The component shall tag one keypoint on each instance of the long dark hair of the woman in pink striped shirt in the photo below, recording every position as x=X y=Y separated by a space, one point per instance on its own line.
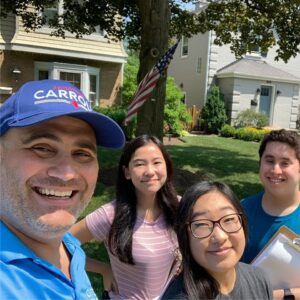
x=120 y=234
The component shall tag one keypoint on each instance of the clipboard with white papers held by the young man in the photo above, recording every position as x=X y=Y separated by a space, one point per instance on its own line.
x=280 y=259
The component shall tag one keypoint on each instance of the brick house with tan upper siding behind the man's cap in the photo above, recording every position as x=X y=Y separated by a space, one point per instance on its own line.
x=91 y=63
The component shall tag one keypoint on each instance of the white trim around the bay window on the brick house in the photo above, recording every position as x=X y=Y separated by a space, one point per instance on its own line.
x=54 y=68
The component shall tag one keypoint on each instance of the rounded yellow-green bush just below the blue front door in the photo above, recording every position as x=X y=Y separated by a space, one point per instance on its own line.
x=251 y=118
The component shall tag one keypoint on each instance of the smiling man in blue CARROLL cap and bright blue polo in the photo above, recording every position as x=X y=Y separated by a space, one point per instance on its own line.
x=48 y=154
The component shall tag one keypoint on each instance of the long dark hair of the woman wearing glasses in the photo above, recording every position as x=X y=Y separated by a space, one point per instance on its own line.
x=199 y=284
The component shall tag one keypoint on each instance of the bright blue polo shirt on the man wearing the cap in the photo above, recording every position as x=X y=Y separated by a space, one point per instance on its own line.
x=23 y=275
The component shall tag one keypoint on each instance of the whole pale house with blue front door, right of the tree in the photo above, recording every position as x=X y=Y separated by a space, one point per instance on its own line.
x=255 y=81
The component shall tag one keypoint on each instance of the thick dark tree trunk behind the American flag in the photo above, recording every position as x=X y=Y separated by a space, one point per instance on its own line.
x=155 y=16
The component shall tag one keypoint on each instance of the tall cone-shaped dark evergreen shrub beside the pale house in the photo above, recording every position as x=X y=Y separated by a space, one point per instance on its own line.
x=213 y=115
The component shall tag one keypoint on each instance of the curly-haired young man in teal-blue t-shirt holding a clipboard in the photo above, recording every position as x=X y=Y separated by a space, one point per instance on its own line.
x=279 y=203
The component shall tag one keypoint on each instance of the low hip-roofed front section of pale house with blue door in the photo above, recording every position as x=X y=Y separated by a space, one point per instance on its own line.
x=253 y=83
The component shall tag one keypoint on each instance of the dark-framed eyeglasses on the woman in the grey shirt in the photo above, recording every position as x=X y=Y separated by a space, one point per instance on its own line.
x=203 y=228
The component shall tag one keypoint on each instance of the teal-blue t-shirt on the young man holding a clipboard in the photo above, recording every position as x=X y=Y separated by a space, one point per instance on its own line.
x=263 y=226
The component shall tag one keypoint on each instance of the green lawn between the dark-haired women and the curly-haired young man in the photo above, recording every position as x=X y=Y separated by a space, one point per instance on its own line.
x=233 y=161
